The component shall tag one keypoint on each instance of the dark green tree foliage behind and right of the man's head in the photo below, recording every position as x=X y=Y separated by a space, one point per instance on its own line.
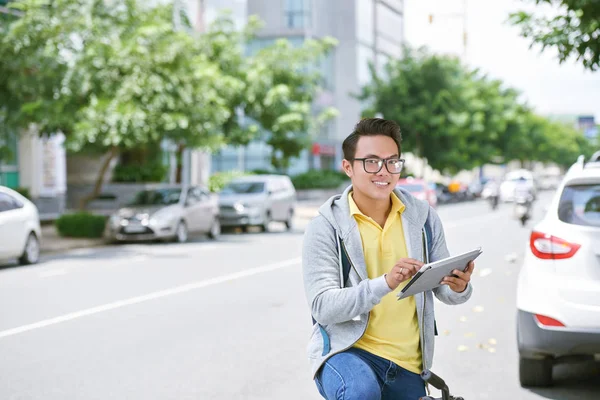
x=456 y=118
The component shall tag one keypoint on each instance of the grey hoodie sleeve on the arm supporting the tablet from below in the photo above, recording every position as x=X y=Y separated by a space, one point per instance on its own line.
x=439 y=250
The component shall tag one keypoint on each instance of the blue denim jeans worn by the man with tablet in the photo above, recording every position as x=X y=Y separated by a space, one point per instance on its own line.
x=358 y=374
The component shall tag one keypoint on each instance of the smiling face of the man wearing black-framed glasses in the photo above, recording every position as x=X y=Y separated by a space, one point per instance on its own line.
x=376 y=186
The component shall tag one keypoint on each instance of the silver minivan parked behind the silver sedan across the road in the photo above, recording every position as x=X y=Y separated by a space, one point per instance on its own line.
x=257 y=200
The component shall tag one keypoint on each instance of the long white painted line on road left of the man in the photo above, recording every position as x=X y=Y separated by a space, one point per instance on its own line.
x=150 y=296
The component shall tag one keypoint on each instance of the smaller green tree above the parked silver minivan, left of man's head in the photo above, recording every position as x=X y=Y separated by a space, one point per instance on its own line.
x=278 y=85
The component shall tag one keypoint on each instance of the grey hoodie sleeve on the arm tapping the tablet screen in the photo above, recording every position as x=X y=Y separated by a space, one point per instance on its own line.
x=329 y=303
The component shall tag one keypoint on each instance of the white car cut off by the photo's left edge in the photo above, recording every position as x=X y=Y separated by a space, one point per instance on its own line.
x=20 y=230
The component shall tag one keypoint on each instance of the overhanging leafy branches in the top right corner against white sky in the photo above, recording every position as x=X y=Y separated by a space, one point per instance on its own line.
x=574 y=30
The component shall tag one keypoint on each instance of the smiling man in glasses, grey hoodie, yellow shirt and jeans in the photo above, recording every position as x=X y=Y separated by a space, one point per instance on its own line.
x=366 y=344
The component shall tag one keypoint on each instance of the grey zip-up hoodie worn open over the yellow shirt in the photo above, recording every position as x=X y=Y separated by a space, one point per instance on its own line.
x=342 y=312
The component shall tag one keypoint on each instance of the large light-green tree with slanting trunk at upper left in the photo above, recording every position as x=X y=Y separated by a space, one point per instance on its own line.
x=111 y=77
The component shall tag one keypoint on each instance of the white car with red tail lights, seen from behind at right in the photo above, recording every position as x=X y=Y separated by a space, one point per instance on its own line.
x=558 y=291
